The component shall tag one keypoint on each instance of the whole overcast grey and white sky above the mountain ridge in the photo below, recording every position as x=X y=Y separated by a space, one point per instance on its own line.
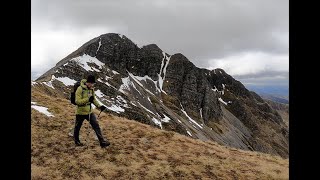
x=249 y=39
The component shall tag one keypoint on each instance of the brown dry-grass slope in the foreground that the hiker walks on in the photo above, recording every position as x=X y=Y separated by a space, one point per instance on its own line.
x=137 y=150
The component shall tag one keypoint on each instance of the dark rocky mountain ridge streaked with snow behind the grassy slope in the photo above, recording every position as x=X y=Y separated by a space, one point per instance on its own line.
x=171 y=93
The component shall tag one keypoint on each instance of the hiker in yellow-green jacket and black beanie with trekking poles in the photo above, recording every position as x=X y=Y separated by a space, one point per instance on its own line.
x=84 y=96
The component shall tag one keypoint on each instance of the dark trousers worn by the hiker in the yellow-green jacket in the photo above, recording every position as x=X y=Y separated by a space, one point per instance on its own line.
x=94 y=124
